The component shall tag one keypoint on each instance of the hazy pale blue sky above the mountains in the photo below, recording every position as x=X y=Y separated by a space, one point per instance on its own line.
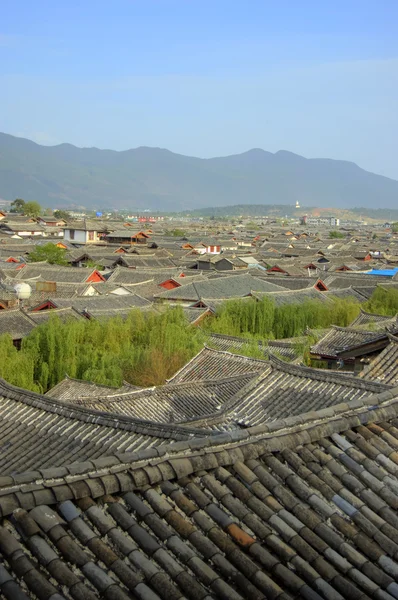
x=205 y=77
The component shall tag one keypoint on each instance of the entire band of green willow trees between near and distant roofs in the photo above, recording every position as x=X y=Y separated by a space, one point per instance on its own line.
x=147 y=348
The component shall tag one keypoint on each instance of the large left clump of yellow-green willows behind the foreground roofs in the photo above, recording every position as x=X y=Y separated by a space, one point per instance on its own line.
x=144 y=349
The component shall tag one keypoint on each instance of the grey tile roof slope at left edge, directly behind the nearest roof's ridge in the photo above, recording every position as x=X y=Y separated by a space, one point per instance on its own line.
x=37 y=432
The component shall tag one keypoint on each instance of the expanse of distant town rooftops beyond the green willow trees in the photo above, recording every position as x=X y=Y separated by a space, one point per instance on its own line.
x=152 y=268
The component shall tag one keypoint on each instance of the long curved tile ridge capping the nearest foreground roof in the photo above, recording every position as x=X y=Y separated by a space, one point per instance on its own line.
x=181 y=458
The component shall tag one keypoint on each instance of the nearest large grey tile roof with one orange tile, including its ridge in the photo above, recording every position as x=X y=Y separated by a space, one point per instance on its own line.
x=305 y=509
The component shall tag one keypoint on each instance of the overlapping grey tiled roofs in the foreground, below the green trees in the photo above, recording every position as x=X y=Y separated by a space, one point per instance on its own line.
x=238 y=478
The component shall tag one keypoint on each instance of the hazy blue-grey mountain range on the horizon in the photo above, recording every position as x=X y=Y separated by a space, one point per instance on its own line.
x=157 y=179
